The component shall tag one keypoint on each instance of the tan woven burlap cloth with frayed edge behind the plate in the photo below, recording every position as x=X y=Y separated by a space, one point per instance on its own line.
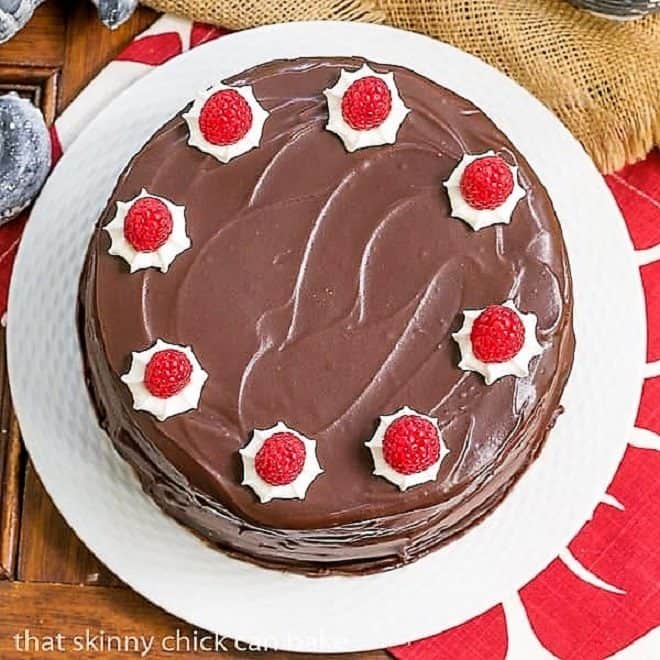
x=601 y=77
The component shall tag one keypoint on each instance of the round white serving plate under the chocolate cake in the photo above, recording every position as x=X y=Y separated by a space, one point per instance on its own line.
x=98 y=493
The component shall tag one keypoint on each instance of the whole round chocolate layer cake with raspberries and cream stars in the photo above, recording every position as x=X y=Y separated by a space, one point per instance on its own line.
x=362 y=335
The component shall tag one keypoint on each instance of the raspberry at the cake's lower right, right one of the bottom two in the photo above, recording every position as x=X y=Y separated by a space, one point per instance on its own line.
x=411 y=444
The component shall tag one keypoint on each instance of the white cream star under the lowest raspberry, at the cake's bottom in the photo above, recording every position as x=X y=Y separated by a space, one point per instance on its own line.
x=265 y=491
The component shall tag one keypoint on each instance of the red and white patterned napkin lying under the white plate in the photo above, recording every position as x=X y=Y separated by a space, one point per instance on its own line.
x=601 y=595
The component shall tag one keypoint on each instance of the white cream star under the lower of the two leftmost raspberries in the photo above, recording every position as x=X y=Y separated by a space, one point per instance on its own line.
x=161 y=408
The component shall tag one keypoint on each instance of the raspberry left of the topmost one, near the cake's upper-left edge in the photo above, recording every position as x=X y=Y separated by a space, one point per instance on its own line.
x=225 y=118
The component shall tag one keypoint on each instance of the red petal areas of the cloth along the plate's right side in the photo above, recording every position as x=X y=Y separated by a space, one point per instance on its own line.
x=572 y=617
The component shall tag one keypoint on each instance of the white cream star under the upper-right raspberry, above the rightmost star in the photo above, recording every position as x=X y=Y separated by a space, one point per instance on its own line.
x=480 y=218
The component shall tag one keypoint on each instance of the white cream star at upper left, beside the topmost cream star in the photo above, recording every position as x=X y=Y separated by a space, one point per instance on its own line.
x=225 y=152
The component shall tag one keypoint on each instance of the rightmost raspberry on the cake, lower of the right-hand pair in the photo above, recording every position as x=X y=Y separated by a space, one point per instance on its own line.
x=497 y=334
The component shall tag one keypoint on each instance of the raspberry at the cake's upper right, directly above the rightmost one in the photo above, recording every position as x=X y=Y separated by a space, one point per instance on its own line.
x=486 y=182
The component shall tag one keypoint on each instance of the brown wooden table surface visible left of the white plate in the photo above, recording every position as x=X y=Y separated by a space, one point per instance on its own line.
x=50 y=583
